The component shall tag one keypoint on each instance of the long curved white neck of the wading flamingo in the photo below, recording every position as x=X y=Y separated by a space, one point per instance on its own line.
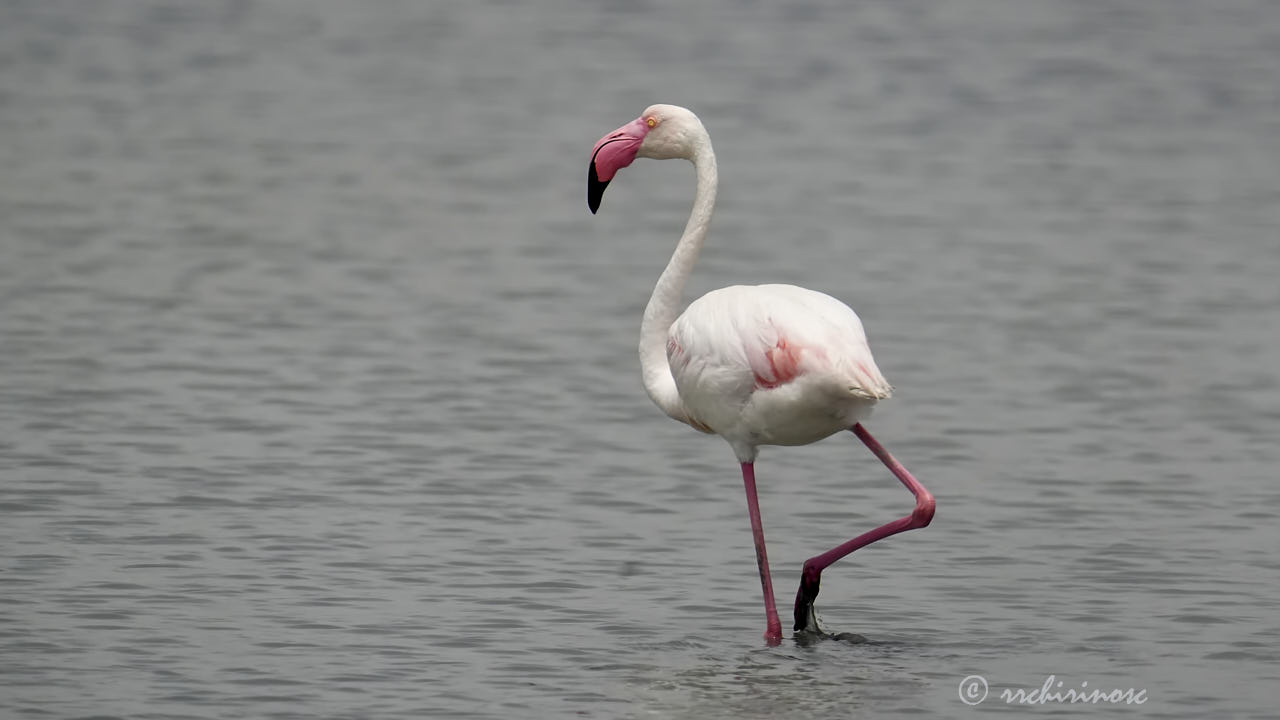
x=665 y=303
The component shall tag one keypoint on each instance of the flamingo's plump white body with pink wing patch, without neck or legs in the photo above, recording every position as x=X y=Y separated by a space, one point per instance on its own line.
x=772 y=364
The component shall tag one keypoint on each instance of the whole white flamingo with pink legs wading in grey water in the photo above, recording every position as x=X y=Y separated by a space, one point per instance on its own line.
x=771 y=364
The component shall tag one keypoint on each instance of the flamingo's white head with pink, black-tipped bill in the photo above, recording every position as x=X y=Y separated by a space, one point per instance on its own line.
x=662 y=133
